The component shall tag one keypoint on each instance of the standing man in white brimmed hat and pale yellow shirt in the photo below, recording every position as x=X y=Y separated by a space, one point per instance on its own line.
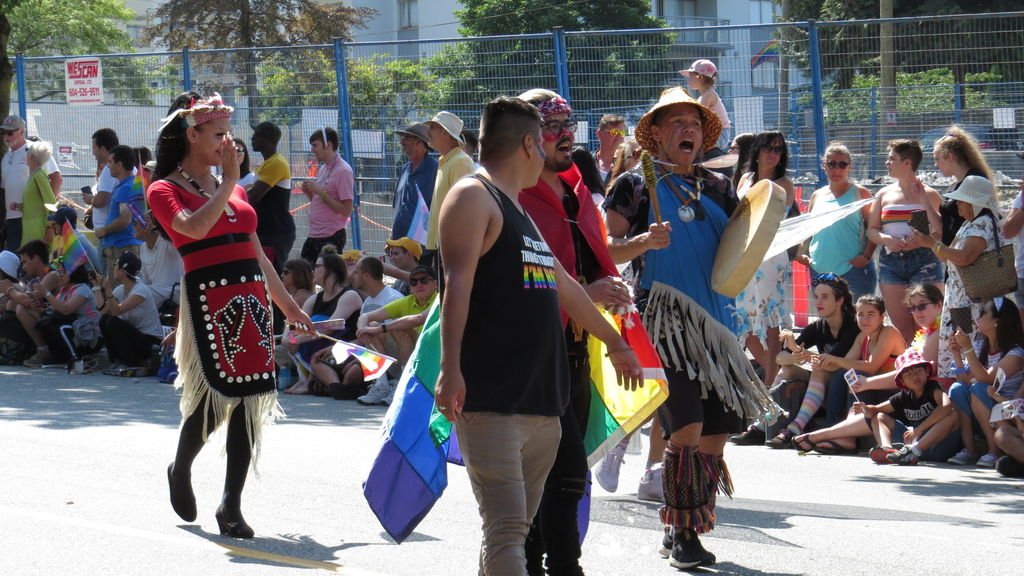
x=445 y=131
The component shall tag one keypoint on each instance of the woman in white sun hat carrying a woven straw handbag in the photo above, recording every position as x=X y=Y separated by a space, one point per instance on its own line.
x=977 y=204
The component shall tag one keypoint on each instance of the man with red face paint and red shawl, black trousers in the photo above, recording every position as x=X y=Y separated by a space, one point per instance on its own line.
x=564 y=211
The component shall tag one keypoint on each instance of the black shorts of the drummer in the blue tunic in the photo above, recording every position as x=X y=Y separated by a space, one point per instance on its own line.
x=685 y=406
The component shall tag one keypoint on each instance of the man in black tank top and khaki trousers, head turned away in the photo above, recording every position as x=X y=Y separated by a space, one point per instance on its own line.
x=504 y=380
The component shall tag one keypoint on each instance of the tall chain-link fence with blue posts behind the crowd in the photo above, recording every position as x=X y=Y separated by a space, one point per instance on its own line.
x=860 y=83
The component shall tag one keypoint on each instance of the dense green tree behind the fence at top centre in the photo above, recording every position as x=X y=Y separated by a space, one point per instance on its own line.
x=602 y=70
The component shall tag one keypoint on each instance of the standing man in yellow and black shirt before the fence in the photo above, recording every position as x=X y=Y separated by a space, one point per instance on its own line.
x=271 y=196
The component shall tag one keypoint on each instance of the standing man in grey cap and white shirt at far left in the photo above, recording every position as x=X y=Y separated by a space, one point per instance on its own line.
x=15 y=177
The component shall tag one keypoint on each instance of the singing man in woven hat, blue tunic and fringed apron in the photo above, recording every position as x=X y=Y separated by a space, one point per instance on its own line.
x=712 y=387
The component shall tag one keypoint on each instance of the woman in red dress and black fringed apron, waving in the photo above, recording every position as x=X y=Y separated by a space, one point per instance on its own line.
x=225 y=348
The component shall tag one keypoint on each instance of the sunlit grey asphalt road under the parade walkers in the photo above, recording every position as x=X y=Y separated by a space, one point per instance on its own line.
x=84 y=492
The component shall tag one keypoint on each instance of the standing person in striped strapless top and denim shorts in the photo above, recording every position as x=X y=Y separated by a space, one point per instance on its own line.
x=904 y=260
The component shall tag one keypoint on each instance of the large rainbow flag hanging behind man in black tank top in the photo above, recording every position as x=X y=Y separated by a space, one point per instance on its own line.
x=410 y=473
